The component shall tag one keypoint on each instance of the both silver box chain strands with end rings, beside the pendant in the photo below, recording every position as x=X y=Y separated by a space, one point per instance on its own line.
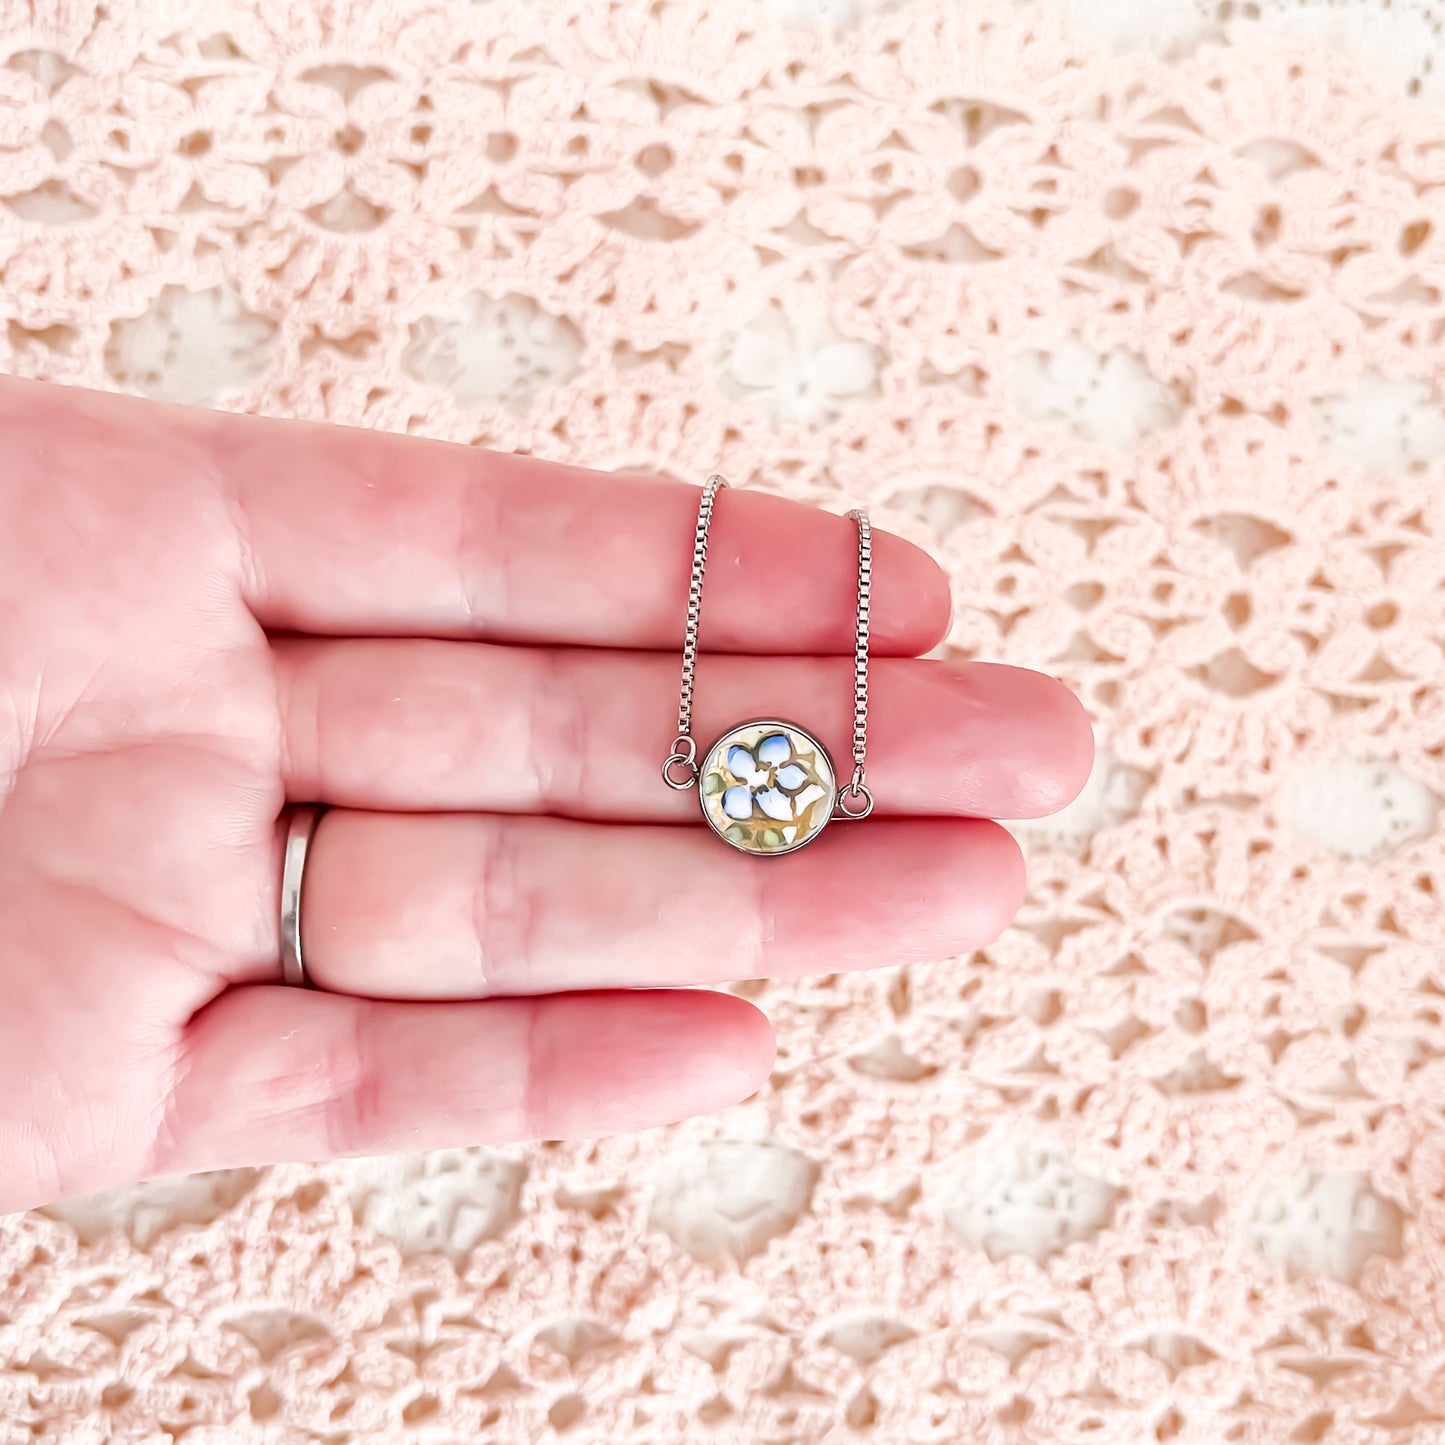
x=681 y=768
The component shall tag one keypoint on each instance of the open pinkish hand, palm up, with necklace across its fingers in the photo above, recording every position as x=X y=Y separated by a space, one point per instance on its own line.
x=475 y=660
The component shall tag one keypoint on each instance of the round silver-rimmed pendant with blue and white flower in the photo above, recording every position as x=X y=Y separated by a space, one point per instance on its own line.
x=768 y=788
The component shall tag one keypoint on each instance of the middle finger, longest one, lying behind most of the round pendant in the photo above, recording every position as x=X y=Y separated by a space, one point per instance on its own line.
x=450 y=726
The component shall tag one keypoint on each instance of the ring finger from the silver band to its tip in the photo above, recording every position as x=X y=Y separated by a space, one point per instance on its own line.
x=469 y=907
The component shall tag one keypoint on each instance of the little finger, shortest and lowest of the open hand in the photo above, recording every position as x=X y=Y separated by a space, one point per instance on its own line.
x=285 y=1074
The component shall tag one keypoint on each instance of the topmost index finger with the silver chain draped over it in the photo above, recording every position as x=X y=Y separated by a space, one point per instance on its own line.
x=368 y=534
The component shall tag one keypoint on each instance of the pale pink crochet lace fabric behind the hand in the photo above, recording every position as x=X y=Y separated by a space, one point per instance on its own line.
x=1134 y=316
